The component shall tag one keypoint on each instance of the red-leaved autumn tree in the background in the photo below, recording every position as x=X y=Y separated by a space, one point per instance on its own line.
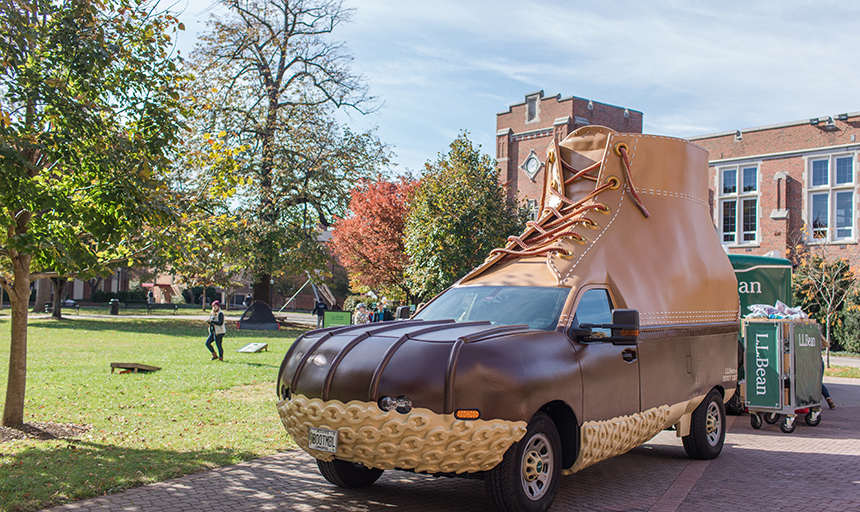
x=369 y=243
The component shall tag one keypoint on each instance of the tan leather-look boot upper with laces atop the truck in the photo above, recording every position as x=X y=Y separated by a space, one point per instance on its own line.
x=629 y=211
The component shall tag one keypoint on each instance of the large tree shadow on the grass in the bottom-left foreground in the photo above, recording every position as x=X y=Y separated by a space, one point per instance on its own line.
x=64 y=471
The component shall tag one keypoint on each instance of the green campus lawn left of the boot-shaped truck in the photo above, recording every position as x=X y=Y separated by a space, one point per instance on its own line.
x=192 y=415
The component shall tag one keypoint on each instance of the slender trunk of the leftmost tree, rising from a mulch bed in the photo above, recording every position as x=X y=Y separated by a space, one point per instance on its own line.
x=13 y=410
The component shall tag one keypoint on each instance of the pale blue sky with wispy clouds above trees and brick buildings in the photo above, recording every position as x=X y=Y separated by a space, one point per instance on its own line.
x=692 y=67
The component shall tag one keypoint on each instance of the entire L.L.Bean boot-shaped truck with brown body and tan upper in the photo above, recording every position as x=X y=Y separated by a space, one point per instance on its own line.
x=613 y=316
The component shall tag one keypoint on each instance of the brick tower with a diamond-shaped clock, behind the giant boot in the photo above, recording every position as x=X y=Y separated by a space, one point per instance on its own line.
x=525 y=130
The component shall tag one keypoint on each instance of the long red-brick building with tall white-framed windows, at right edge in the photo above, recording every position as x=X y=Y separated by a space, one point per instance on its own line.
x=774 y=187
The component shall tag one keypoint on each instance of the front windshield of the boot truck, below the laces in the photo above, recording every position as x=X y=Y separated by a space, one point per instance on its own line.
x=537 y=307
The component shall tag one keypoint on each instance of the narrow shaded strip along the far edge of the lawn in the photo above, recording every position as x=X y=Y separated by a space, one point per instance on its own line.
x=180 y=327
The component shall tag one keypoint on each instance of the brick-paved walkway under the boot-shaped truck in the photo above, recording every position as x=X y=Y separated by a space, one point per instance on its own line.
x=814 y=467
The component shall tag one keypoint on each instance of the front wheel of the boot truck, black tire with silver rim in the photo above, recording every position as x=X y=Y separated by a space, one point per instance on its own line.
x=526 y=479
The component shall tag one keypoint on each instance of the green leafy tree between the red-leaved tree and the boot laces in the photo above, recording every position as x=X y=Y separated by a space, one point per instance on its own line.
x=459 y=213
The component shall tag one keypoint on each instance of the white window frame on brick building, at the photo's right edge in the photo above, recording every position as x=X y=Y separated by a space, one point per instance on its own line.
x=830 y=190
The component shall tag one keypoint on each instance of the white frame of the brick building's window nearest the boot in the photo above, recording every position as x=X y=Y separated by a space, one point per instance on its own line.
x=739 y=197
